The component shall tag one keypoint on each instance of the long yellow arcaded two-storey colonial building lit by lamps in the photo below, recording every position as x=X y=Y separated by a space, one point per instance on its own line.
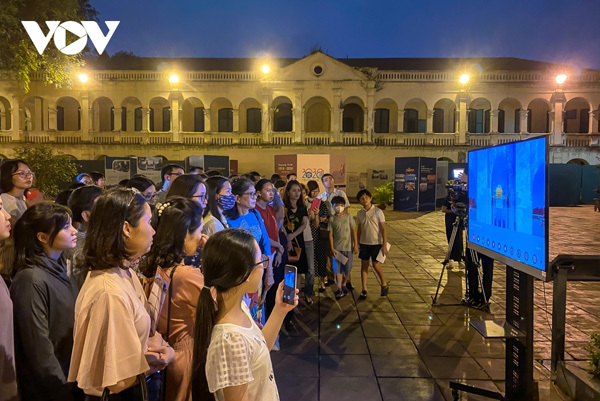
x=371 y=110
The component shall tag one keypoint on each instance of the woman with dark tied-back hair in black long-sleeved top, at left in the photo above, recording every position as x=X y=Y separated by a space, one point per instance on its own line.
x=43 y=300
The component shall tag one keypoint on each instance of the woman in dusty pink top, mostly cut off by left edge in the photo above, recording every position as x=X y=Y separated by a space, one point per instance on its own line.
x=8 y=374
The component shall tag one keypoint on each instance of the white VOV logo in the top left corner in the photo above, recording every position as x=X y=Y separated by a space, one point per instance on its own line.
x=59 y=30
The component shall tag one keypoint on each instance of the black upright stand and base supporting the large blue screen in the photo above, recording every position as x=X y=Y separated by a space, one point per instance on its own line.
x=518 y=332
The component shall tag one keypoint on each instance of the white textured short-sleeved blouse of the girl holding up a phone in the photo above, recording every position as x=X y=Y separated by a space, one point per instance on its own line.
x=238 y=355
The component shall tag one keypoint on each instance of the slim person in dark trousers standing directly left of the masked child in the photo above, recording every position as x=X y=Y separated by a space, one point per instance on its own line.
x=317 y=215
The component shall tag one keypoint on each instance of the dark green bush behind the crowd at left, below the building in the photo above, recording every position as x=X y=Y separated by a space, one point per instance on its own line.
x=49 y=167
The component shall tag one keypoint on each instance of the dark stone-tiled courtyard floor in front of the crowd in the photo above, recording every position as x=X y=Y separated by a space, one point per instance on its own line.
x=399 y=347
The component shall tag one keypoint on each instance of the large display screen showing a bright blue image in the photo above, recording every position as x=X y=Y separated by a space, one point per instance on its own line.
x=508 y=204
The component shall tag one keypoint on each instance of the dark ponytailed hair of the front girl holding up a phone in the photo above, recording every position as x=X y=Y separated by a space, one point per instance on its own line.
x=224 y=271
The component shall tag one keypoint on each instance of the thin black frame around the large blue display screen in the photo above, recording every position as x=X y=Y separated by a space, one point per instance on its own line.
x=544 y=275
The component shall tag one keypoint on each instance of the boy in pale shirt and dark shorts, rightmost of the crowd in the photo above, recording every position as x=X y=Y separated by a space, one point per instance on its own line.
x=372 y=236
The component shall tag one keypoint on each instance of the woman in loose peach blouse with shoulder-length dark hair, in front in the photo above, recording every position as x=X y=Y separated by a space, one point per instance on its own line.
x=112 y=346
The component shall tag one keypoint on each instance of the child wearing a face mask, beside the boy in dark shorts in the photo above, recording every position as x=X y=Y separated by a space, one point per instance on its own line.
x=342 y=239
